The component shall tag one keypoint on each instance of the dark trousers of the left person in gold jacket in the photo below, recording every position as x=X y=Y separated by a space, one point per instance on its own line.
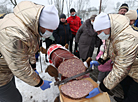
x=9 y=92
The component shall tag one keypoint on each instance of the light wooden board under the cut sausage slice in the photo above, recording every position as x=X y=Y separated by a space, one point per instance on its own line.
x=102 y=97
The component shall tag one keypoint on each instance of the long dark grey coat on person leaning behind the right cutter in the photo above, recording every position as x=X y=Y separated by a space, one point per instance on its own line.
x=87 y=39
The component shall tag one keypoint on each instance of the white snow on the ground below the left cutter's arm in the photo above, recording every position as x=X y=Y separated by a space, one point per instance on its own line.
x=35 y=94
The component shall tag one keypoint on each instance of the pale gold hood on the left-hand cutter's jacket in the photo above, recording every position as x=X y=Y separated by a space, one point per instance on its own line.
x=29 y=12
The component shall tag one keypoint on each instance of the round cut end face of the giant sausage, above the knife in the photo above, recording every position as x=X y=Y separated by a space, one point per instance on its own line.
x=71 y=67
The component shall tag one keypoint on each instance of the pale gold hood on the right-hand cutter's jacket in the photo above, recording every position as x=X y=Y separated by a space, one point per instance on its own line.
x=118 y=24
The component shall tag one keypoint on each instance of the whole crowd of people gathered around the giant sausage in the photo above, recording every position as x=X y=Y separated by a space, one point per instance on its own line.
x=115 y=36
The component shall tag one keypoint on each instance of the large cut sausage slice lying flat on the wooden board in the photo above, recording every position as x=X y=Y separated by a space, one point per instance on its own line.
x=76 y=89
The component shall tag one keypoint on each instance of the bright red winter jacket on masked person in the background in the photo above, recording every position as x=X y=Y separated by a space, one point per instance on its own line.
x=74 y=23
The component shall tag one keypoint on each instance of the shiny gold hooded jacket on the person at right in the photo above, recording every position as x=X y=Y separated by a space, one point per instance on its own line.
x=122 y=49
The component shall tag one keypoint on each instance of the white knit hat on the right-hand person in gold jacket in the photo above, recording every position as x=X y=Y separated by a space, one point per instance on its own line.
x=101 y=22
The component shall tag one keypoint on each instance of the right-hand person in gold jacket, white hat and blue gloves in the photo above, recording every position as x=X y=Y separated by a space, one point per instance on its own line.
x=121 y=48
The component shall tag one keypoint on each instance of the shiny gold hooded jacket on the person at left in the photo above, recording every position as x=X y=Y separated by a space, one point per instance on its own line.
x=19 y=43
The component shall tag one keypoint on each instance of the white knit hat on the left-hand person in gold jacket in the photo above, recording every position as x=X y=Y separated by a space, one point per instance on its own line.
x=49 y=17
